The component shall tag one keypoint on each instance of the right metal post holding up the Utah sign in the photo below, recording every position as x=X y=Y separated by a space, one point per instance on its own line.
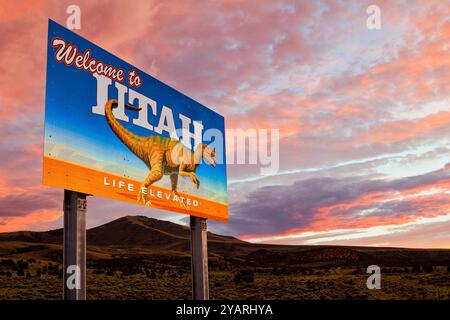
x=199 y=250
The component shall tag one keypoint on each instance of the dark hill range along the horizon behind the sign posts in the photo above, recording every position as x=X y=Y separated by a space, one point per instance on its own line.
x=135 y=233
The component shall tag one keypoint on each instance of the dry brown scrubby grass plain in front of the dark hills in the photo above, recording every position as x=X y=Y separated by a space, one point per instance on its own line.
x=334 y=283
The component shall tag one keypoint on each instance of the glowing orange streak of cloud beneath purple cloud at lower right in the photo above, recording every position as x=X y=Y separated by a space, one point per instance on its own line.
x=427 y=200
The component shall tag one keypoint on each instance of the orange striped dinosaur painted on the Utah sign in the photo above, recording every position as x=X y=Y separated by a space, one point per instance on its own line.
x=163 y=156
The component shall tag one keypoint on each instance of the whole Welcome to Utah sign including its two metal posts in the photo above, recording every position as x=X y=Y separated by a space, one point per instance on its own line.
x=113 y=131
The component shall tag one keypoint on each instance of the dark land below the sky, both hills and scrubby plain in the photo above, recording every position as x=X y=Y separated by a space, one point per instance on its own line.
x=142 y=258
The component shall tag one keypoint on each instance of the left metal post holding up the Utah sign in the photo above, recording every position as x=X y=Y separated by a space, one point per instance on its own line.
x=74 y=259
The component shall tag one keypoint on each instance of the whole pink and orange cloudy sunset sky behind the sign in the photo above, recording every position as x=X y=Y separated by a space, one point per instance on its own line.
x=364 y=115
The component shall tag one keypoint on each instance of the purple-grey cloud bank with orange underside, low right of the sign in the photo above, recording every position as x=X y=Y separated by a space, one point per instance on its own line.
x=324 y=204
